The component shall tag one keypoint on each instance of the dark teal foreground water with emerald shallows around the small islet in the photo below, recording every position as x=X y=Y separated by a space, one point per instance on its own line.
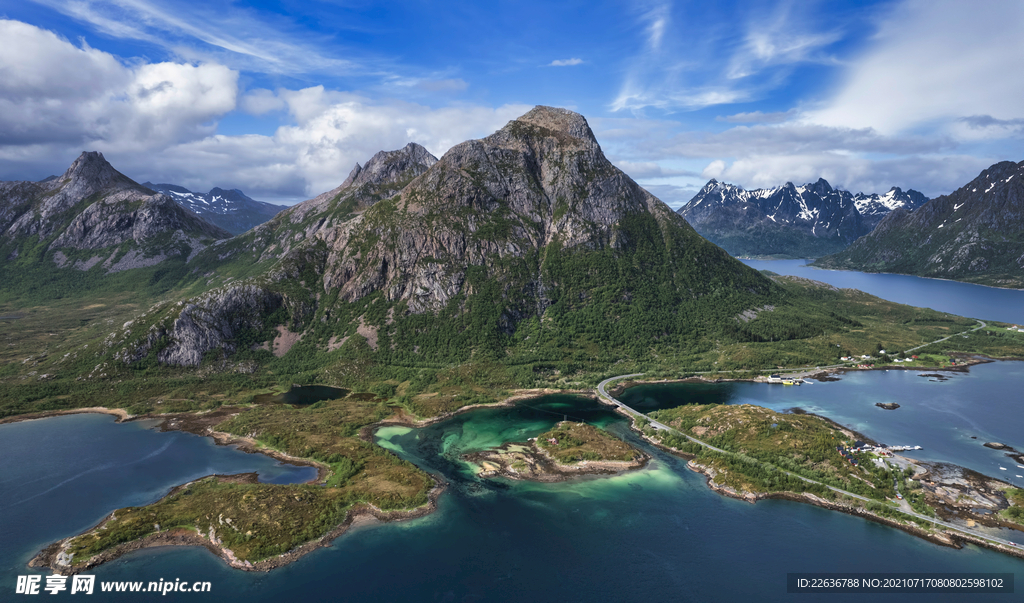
x=654 y=535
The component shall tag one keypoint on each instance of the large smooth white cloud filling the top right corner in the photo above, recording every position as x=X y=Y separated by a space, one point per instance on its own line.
x=933 y=63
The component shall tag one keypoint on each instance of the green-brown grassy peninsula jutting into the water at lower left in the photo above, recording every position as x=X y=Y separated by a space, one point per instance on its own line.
x=267 y=520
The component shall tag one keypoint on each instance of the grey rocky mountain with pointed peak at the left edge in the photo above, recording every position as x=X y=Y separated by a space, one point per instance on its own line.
x=95 y=216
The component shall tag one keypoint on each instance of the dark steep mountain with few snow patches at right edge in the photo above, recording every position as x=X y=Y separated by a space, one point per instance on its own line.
x=972 y=235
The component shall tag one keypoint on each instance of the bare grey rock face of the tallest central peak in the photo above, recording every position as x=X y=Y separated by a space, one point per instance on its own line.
x=540 y=180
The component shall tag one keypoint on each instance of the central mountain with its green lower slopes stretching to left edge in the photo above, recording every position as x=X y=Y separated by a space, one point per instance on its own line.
x=524 y=260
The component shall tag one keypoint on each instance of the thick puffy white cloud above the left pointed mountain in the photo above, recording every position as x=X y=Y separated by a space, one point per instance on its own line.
x=53 y=92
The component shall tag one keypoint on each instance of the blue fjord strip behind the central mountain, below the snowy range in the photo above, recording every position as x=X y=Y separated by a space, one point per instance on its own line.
x=987 y=304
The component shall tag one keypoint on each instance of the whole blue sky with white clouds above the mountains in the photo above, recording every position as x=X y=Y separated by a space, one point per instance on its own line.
x=282 y=99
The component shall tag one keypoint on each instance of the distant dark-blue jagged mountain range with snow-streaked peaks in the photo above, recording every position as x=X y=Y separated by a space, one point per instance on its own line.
x=789 y=222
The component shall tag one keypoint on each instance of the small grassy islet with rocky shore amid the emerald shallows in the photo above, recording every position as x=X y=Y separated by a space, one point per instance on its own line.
x=567 y=451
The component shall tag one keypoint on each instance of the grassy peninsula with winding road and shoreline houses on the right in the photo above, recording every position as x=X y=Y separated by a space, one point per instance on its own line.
x=763 y=454
